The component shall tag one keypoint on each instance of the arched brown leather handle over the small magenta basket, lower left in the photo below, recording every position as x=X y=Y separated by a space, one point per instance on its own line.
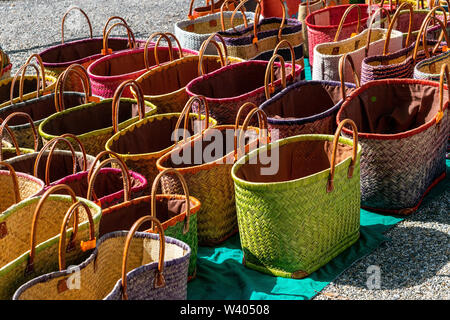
x=94 y=172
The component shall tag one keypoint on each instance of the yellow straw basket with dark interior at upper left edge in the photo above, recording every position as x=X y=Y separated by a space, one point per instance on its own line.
x=29 y=91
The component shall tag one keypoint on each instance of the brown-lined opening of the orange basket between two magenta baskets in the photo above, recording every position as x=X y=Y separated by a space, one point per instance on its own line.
x=176 y=75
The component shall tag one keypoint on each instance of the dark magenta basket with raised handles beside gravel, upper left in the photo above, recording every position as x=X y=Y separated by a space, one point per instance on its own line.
x=84 y=52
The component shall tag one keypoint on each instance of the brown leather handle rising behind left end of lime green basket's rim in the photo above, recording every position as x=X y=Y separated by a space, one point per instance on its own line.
x=262 y=119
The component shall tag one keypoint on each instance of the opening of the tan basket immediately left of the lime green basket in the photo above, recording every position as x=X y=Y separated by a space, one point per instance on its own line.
x=214 y=145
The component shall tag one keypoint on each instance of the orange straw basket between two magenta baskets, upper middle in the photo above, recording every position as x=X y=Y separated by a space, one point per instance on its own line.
x=165 y=86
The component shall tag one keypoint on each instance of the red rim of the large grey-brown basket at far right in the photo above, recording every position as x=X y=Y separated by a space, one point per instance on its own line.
x=396 y=136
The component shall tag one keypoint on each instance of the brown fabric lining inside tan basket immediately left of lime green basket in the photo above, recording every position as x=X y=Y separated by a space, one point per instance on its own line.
x=208 y=141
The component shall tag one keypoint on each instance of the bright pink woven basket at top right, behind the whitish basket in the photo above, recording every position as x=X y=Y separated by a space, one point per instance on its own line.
x=323 y=24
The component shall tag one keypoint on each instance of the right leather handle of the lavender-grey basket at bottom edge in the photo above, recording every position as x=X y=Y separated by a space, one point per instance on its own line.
x=159 y=279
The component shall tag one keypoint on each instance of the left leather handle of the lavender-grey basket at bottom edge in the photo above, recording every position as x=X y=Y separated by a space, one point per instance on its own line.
x=62 y=249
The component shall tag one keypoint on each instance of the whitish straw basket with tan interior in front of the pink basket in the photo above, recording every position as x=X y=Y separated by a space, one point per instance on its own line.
x=326 y=62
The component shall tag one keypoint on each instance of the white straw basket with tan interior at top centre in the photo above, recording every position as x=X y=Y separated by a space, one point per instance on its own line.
x=192 y=33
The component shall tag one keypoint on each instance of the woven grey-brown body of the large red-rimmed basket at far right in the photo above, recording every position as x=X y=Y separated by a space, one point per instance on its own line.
x=398 y=170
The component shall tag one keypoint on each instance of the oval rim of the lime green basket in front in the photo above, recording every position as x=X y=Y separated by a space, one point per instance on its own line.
x=279 y=185
